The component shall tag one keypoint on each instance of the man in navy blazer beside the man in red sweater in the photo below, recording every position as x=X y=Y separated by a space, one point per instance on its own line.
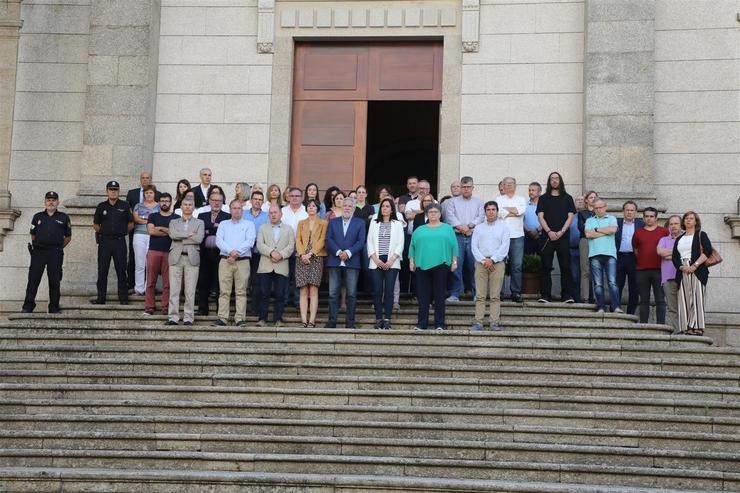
x=626 y=261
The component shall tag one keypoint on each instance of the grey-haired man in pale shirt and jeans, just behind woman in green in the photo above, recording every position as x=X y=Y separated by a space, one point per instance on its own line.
x=464 y=213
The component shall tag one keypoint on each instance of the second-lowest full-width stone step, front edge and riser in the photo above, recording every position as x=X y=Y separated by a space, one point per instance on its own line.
x=665 y=476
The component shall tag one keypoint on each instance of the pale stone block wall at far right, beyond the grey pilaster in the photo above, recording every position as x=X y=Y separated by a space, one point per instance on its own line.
x=697 y=128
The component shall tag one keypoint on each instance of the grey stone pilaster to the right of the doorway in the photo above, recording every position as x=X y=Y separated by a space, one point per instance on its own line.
x=619 y=79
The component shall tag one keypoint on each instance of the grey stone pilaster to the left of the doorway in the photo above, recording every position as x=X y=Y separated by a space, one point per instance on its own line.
x=118 y=139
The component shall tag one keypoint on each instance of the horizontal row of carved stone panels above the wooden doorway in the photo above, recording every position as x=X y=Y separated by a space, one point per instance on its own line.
x=345 y=17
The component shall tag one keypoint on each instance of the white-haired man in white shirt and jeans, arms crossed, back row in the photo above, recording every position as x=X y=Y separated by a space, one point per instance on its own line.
x=511 y=210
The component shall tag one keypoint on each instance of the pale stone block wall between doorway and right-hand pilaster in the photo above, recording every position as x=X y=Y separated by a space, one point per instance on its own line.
x=522 y=95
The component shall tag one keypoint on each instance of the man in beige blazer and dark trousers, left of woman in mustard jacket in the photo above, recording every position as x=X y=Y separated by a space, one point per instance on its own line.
x=276 y=243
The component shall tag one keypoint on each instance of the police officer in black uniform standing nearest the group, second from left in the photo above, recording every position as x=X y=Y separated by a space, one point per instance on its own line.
x=112 y=222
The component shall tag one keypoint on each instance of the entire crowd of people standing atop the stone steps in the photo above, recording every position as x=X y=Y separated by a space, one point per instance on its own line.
x=281 y=246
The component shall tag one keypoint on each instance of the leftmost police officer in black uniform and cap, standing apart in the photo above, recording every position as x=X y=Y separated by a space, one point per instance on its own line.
x=51 y=231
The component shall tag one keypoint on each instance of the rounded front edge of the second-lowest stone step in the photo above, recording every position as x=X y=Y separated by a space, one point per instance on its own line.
x=348 y=459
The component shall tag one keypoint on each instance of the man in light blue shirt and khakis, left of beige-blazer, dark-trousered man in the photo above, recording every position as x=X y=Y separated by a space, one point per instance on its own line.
x=234 y=239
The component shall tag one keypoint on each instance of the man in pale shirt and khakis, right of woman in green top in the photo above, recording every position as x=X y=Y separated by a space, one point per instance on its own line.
x=490 y=246
